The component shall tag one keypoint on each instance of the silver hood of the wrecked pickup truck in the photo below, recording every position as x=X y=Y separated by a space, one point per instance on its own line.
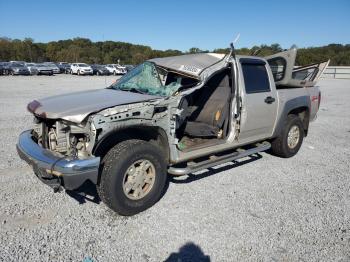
x=75 y=107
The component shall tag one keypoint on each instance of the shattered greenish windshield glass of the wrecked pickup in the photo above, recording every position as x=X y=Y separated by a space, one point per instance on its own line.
x=145 y=79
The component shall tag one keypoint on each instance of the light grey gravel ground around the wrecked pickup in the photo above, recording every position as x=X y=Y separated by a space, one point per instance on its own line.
x=266 y=209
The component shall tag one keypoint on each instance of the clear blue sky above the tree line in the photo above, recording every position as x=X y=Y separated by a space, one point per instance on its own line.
x=180 y=24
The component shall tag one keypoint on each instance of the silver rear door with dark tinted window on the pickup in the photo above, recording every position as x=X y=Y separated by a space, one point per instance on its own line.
x=259 y=100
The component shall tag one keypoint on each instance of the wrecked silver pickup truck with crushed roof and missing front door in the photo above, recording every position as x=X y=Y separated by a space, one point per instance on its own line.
x=174 y=115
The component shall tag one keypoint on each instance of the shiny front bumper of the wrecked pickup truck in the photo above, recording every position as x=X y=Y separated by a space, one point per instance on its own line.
x=54 y=170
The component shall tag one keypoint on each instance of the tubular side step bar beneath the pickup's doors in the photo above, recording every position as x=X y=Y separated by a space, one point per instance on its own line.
x=214 y=160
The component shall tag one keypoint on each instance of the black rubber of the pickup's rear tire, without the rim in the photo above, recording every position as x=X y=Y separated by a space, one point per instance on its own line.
x=279 y=145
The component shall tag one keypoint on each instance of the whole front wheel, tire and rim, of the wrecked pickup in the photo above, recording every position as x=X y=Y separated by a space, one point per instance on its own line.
x=133 y=177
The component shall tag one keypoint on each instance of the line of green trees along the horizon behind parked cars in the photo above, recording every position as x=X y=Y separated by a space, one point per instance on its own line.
x=84 y=50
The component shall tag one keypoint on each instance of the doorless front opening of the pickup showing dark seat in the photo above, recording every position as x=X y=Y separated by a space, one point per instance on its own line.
x=205 y=117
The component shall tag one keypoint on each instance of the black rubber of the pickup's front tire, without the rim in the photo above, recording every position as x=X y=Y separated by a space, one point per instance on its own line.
x=114 y=166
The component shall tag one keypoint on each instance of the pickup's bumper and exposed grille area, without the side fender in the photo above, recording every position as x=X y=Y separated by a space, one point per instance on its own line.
x=60 y=153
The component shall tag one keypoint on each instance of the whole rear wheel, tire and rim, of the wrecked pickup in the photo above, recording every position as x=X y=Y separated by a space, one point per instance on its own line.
x=288 y=143
